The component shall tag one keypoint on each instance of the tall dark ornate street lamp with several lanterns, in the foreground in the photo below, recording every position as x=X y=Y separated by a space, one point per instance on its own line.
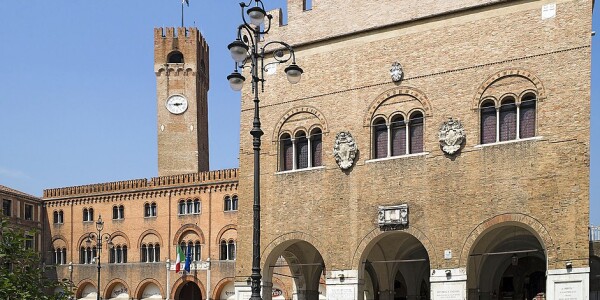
x=247 y=52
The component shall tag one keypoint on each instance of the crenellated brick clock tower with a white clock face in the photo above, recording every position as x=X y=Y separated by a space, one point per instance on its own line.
x=181 y=67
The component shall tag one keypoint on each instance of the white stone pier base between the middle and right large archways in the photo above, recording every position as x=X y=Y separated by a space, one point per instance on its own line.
x=448 y=284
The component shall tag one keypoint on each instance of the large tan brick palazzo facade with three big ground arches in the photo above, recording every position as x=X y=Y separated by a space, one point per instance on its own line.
x=524 y=200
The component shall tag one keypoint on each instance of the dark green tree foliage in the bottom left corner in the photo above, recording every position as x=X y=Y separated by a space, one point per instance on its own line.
x=21 y=273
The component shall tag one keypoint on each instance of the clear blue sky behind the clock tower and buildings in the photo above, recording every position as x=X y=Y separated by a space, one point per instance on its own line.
x=78 y=93
